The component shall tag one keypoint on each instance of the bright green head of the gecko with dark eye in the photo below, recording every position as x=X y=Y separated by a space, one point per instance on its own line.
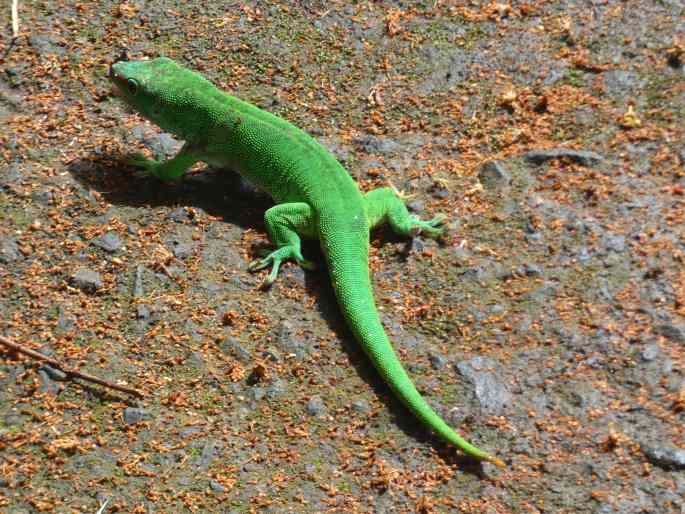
x=159 y=89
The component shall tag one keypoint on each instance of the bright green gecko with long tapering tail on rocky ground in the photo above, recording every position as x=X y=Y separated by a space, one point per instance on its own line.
x=315 y=197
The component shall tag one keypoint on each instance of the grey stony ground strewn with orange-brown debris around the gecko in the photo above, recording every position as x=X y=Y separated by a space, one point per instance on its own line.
x=548 y=325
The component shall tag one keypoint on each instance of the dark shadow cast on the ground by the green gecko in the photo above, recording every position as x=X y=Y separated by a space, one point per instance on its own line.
x=225 y=195
